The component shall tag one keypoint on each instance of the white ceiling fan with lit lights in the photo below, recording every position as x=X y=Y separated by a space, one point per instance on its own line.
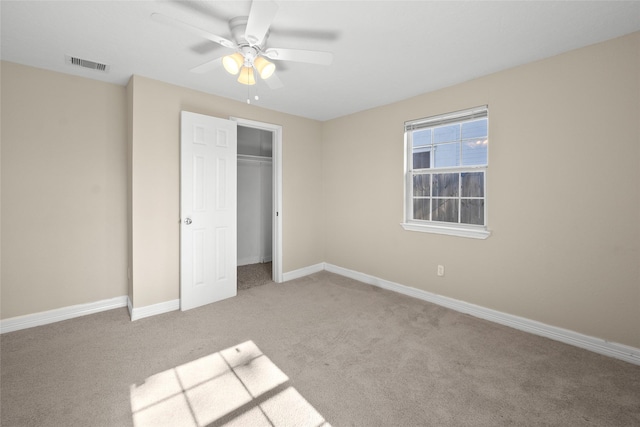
x=249 y=36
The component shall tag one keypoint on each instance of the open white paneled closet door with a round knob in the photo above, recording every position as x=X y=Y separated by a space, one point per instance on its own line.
x=208 y=210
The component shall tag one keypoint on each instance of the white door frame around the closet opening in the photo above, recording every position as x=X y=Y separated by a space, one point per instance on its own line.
x=276 y=161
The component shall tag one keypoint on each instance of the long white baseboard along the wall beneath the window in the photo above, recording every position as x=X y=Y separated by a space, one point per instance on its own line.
x=597 y=345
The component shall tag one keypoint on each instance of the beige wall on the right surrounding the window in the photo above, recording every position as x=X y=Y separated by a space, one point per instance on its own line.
x=563 y=194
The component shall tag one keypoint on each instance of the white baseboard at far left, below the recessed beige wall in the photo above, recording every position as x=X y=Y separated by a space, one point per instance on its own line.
x=51 y=316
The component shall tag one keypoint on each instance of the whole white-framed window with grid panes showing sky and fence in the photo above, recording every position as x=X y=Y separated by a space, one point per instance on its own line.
x=446 y=173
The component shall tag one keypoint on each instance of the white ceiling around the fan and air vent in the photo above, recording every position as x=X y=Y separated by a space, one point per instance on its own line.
x=384 y=51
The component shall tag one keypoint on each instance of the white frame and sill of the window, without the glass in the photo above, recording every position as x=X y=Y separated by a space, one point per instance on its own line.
x=448 y=228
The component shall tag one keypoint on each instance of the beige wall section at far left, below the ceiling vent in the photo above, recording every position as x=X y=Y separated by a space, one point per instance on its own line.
x=63 y=190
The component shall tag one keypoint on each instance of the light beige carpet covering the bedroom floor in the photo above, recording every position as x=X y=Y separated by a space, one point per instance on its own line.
x=356 y=354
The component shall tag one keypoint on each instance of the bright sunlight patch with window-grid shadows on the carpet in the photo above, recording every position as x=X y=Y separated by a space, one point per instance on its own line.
x=238 y=386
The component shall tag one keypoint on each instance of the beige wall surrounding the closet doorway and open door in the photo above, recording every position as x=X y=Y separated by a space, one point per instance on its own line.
x=155 y=180
